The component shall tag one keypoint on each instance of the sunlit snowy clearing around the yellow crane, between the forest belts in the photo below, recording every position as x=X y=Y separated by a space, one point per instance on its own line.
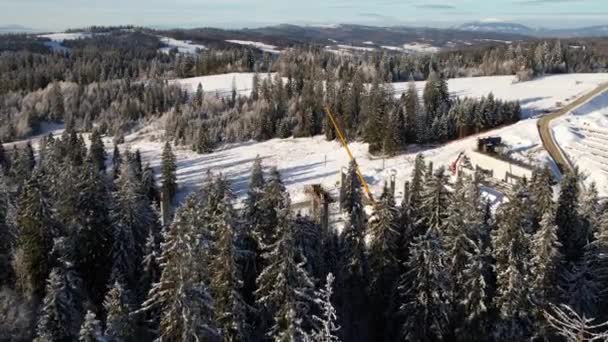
x=305 y=161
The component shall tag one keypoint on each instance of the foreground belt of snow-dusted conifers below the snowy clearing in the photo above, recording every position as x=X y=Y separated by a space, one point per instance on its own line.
x=85 y=256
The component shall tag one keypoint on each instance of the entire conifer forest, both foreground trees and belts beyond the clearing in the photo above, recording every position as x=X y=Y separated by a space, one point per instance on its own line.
x=94 y=246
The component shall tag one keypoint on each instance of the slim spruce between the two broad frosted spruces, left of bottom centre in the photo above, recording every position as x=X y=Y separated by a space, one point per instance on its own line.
x=226 y=280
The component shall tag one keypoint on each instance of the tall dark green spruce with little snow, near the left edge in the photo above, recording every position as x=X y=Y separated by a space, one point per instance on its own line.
x=36 y=232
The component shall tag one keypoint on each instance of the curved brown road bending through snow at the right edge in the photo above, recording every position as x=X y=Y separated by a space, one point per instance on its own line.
x=546 y=135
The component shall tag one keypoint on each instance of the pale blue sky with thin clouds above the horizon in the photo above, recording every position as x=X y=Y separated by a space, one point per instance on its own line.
x=62 y=14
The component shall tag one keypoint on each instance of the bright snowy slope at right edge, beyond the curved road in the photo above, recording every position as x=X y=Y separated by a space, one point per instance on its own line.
x=583 y=136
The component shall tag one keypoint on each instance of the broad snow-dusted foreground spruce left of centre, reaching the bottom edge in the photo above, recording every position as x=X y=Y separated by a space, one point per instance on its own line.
x=182 y=294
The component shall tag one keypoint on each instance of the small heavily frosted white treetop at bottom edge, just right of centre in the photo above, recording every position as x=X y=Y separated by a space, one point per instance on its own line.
x=326 y=325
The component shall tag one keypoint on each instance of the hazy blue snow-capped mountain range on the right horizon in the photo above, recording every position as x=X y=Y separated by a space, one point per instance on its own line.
x=513 y=28
